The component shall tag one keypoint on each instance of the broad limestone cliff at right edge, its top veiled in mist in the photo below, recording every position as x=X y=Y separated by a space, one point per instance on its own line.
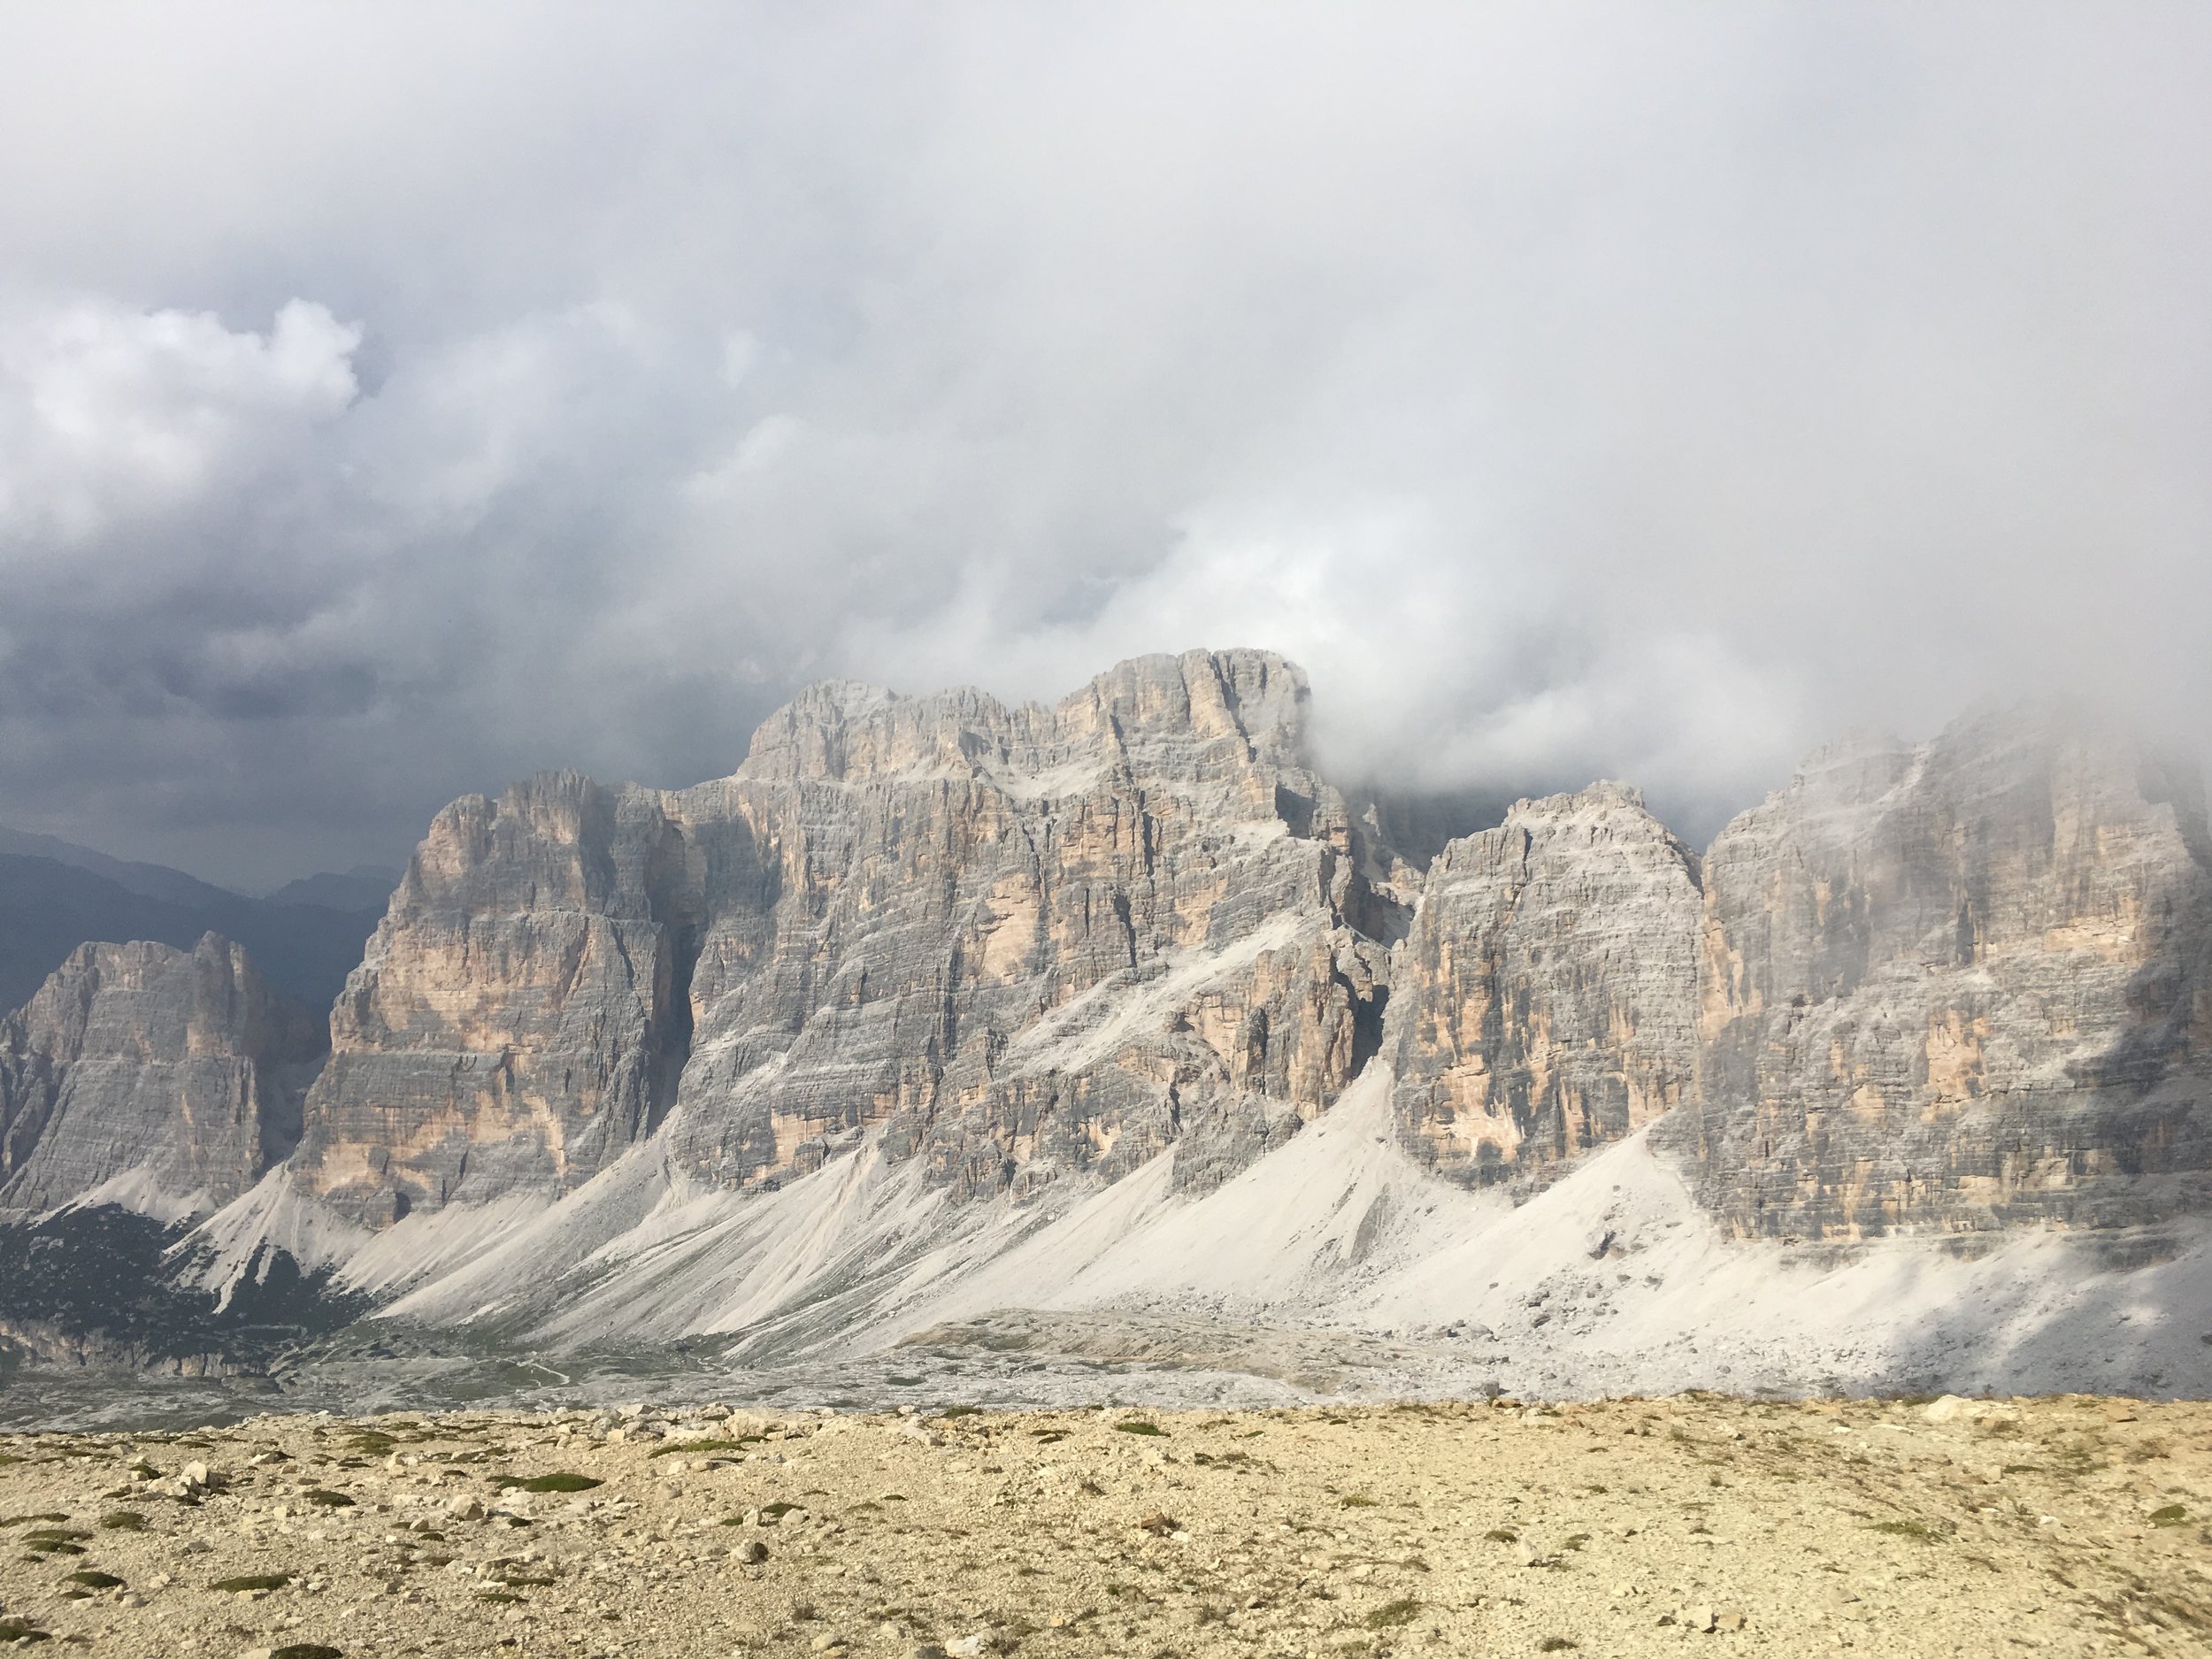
x=1959 y=985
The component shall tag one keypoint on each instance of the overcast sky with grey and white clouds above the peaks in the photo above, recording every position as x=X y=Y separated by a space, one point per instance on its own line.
x=404 y=399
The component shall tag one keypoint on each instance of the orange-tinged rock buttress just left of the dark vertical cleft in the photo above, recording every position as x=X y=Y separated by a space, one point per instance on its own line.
x=519 y=1014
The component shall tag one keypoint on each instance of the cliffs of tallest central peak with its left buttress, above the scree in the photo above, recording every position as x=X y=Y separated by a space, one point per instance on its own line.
x=1008 y=941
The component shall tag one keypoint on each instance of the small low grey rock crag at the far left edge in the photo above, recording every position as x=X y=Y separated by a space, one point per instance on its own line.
x=176 y=1074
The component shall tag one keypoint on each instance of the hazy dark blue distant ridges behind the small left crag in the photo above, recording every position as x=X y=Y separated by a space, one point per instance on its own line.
x=54 y=904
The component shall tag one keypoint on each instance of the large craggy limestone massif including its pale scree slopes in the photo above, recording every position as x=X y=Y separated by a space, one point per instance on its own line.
x=1120 y=1016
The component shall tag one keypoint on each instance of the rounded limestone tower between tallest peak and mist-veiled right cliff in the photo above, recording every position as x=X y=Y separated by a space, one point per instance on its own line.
x=1547 y=994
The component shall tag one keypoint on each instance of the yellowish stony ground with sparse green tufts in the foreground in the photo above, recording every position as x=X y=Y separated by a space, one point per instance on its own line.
x=1676 y=1525
